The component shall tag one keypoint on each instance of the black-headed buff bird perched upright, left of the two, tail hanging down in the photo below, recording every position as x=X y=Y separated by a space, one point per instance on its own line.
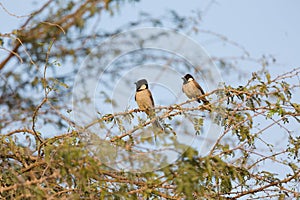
x=144 y=99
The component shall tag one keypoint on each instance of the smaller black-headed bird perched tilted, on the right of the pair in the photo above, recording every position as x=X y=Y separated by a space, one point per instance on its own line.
x=192 y=89
